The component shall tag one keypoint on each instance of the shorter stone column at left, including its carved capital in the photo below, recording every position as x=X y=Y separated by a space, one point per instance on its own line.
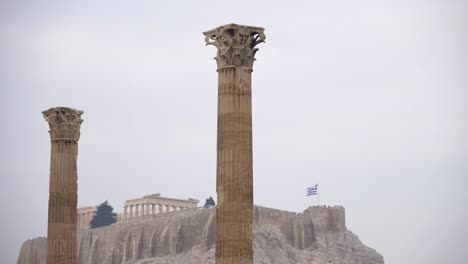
x=64 y=124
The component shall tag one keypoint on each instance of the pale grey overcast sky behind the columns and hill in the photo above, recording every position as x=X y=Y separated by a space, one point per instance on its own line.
x=365 y=98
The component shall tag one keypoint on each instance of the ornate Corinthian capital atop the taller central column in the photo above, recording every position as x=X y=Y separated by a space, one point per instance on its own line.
x=236 y=44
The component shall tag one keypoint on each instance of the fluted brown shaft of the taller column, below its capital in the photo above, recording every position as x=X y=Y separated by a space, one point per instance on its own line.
x=234 y=168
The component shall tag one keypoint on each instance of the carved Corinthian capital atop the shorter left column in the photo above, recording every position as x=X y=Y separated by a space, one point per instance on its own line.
x=64 y=123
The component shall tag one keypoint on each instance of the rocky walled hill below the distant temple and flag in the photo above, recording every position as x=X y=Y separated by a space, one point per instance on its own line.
x=318 y=236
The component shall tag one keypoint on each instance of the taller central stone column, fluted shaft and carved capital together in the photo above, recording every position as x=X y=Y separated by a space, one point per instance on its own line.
x=235 y=58
